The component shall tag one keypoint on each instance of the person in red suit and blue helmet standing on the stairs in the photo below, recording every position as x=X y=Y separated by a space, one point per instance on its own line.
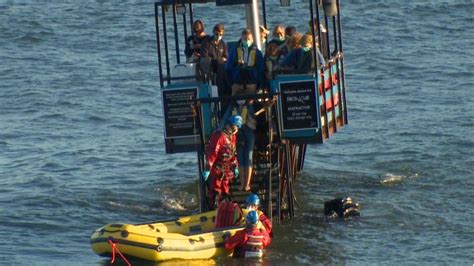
x=221 y=160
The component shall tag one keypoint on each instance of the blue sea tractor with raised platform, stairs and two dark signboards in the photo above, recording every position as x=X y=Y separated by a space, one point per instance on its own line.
x=295 y=111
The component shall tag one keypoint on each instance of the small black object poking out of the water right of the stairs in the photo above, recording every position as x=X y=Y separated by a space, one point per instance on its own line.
x=341 y=208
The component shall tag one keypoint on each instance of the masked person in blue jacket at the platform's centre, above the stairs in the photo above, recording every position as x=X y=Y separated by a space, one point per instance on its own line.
x=245 y=66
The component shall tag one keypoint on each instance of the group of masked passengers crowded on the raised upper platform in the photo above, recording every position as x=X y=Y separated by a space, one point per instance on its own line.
x=244 y=65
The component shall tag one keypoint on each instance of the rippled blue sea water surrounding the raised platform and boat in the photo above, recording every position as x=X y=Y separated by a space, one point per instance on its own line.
x=81 y=133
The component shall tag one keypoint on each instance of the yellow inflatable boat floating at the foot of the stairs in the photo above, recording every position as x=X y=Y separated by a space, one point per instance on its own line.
x=189 y=237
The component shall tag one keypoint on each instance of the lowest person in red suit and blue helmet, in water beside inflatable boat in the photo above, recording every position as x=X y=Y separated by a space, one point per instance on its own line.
x=249 y=242
